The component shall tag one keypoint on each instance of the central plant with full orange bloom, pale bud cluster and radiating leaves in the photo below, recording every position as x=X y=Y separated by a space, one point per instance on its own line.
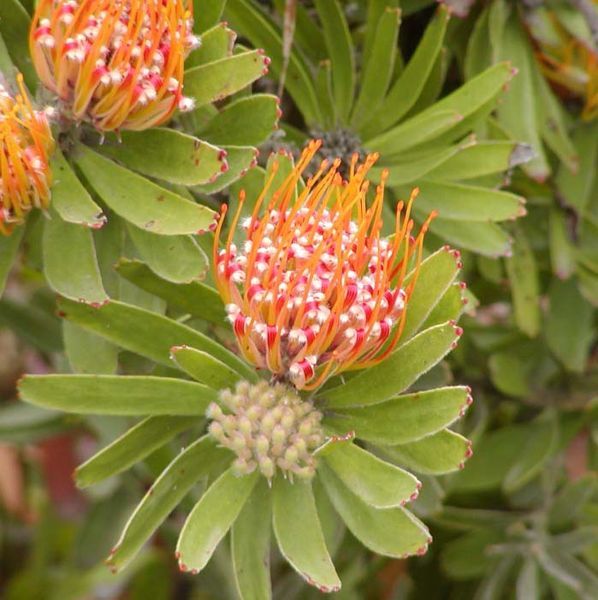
x=317 y=422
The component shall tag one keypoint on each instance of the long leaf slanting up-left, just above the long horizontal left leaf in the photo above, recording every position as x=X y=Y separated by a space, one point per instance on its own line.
x=145 y=332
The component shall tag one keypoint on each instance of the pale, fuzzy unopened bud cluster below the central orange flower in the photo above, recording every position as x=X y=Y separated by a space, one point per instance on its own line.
x=268 y=427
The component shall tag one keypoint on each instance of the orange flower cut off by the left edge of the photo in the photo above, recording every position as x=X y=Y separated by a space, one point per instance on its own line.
x=25 y=145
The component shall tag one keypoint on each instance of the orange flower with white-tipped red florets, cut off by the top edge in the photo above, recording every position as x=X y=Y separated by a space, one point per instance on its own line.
x=116 y=63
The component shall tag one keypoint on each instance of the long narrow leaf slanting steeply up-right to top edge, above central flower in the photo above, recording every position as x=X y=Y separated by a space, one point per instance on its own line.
x=410 y=84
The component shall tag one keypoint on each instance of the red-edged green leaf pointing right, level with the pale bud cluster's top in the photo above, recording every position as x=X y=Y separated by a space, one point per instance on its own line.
x=406 y=418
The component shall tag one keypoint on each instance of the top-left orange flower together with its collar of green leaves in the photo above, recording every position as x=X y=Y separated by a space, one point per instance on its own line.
x=140 y=142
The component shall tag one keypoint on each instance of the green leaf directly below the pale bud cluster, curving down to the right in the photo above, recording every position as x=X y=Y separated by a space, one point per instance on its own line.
x=299 y=533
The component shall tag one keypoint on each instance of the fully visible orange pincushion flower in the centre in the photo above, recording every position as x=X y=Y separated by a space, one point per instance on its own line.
x=314 y=289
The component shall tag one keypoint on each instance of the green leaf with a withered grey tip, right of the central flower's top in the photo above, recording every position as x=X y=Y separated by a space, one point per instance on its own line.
x=482 y=158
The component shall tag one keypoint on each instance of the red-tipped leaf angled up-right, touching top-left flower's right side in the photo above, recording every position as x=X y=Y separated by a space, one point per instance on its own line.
x=216 y=80
